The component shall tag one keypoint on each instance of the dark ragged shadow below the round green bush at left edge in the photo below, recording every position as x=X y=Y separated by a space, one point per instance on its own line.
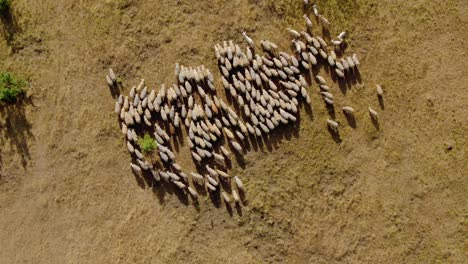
x=15 y=129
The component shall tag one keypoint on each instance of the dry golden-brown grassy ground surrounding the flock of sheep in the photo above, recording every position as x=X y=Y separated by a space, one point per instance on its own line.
x=393 y=195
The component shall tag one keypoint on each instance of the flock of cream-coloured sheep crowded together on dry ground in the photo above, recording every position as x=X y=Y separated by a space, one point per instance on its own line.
x=266 y=85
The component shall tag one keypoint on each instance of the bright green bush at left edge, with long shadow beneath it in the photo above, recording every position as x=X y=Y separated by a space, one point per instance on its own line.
x=11 y=87
